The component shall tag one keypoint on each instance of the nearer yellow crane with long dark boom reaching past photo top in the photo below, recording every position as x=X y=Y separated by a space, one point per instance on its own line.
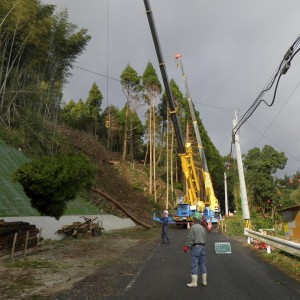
x=191 y=201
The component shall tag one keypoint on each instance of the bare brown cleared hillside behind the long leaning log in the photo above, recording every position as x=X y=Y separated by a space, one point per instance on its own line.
x=126 y=182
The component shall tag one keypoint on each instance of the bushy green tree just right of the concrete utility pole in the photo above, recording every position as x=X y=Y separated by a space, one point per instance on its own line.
x=260 y=165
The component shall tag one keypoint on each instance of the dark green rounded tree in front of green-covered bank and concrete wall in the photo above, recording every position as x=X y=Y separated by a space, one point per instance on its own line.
x=50 y=182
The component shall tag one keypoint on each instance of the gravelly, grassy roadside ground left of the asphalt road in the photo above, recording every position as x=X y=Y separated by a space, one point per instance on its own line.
x=78 y=269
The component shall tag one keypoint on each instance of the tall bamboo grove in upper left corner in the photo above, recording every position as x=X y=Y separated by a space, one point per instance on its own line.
x=38 y=48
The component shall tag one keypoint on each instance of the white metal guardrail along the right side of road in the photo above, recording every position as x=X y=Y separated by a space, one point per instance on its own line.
x=284 y=245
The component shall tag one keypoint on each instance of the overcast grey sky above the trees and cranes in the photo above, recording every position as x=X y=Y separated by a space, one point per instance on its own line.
x=230 y=49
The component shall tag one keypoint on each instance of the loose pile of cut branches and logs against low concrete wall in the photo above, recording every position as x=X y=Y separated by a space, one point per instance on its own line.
x=88 y=228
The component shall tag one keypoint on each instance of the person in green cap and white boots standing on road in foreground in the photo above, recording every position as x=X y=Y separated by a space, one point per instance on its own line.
x=196 y=242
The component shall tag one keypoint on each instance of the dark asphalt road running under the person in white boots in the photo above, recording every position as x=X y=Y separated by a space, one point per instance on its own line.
x=239 y=275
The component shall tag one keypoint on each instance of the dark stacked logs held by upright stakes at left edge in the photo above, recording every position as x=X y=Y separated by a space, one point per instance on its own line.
x=18 y=235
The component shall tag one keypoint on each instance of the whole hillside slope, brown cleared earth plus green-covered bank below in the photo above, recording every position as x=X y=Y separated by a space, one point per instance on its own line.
x=125 y=182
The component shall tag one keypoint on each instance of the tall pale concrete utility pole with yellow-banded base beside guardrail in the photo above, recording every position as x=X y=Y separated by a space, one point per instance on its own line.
x=243 y=191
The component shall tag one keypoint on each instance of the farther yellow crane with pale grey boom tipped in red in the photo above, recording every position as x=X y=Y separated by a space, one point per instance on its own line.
x=212 y=207
